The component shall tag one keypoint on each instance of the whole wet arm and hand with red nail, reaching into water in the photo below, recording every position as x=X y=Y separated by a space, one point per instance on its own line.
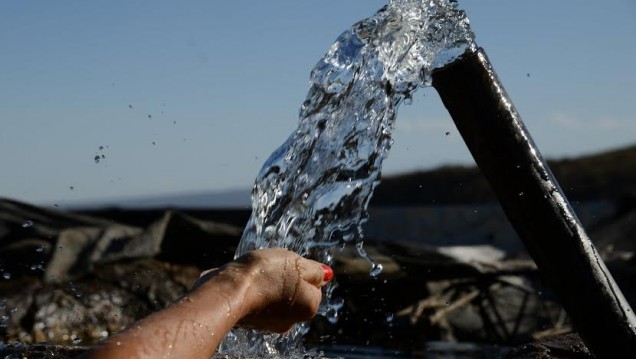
x=269 y=289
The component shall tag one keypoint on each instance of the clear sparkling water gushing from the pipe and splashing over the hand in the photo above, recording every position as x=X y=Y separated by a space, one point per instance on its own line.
x=312 y=194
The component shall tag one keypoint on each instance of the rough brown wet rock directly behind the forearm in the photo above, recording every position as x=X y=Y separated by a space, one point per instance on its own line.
x=94 y=307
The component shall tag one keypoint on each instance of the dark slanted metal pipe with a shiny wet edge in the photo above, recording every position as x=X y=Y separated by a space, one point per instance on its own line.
x=535 y=205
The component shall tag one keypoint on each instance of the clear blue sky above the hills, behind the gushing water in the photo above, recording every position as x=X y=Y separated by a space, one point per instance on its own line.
x=194 y=96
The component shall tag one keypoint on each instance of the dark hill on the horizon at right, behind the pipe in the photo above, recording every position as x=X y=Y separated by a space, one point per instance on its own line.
x=609 y=175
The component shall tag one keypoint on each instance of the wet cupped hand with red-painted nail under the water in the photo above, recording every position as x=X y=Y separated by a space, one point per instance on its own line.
x=283 y=288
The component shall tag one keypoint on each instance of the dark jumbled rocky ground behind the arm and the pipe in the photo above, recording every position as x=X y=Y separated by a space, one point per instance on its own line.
x=72 y=279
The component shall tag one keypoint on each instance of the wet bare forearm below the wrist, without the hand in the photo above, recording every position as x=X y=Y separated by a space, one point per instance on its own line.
x=191 y=328
